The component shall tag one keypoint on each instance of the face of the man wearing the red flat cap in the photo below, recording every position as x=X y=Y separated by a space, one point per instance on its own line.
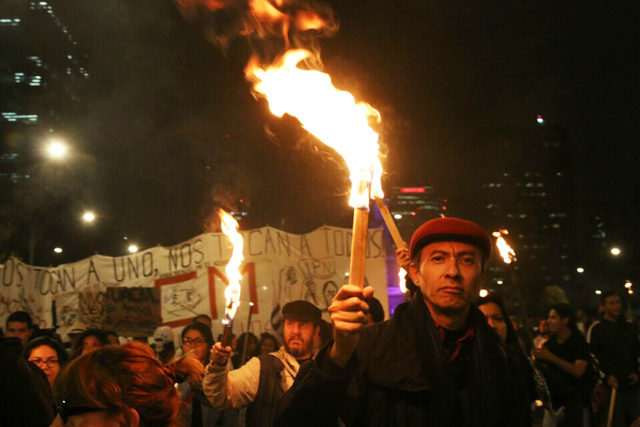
x=449 y=276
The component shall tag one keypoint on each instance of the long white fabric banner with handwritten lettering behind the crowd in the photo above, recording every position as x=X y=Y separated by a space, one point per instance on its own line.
x=278 y=267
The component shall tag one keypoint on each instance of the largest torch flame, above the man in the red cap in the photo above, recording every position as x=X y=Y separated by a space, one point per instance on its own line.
x=331 y=115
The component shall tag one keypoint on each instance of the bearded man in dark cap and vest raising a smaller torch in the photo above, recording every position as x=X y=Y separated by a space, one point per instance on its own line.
x=263 y=380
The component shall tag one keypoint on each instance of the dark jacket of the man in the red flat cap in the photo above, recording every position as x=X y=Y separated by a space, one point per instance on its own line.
x=401 y=376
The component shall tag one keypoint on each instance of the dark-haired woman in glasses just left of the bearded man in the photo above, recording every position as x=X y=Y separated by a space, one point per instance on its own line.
x=197 y=341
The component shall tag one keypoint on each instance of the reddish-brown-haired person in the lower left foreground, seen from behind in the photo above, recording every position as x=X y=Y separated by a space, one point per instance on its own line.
x=122 y=385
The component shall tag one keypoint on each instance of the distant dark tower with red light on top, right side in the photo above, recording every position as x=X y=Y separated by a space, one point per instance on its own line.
x=530 y=193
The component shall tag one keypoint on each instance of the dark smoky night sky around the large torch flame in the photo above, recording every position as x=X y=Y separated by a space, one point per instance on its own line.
x=170 y=119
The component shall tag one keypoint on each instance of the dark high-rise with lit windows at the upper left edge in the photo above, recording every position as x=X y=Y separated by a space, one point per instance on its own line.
x=43 y=76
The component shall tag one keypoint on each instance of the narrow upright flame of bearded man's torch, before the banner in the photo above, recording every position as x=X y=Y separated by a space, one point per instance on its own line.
x=232 y=292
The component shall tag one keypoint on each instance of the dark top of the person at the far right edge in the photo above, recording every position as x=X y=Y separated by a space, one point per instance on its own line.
x=617 y=348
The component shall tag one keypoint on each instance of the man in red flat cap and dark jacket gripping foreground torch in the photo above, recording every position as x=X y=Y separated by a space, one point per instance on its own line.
x=435 y=362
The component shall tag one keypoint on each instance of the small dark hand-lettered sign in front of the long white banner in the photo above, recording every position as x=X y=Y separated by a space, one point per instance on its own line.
x=133 y=312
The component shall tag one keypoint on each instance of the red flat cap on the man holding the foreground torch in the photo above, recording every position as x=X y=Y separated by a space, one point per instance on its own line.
x=451 y=230
